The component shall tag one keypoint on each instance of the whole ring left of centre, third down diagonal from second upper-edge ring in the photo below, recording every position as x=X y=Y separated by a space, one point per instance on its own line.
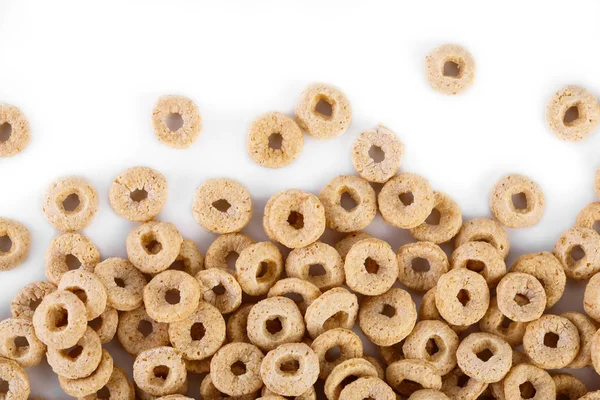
x=171 y=296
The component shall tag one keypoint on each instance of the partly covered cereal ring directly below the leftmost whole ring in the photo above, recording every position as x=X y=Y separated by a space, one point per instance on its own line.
x=69 y=251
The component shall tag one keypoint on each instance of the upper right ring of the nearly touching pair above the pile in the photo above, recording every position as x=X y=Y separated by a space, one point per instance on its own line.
x=323 y=111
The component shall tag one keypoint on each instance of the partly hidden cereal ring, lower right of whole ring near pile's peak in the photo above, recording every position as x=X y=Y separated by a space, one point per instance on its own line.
x=442 y=224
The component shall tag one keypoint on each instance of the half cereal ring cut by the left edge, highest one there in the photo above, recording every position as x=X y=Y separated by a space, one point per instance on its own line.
x=14 y=130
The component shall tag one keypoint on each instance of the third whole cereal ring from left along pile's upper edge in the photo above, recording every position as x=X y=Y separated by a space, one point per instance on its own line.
x=222 y=206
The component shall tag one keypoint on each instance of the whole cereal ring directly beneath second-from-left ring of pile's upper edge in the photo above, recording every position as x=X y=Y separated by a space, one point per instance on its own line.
x=153 y=246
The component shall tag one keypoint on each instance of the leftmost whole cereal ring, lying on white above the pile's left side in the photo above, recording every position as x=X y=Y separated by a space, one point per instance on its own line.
x=70 y=203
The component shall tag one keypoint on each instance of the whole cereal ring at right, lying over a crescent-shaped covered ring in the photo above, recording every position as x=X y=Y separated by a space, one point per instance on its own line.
x=521 y=297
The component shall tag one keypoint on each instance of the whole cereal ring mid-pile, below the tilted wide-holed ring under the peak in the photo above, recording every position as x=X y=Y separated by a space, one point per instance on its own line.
x=371 y=267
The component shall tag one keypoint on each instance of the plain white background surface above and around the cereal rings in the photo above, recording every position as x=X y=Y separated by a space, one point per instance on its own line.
x=87 y=74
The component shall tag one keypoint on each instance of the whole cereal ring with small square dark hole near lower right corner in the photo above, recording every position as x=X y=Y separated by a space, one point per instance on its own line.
x=551 y=342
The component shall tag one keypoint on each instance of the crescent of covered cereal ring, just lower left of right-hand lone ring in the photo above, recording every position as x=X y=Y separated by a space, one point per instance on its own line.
x=484 y=230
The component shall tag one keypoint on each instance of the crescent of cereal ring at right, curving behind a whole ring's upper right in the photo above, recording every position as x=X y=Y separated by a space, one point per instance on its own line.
x=548 y=270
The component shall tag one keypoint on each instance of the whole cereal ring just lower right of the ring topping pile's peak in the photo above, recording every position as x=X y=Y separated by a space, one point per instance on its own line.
x=406 y=200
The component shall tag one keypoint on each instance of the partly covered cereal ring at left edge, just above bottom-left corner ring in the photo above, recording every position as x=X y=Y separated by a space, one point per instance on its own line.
x=18 y=342
